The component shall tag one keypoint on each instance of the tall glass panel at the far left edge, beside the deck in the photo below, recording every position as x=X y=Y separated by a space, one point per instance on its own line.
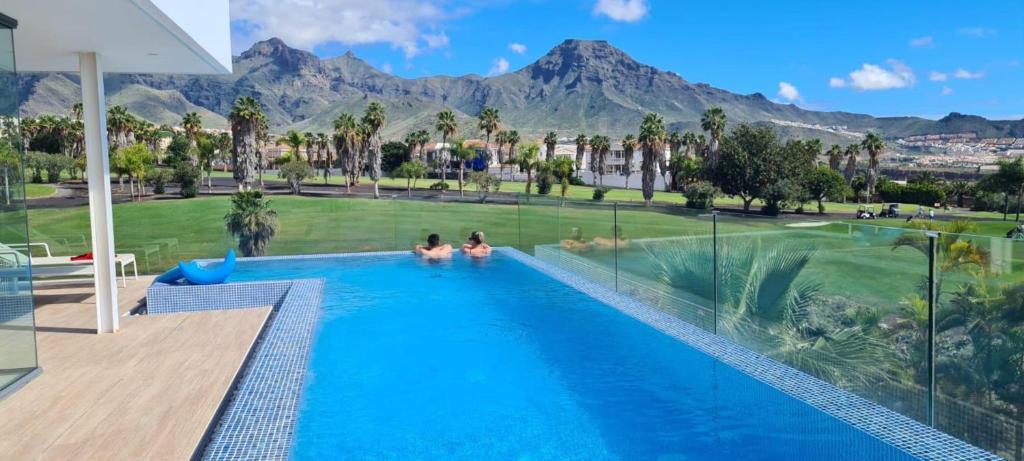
x=18 y=332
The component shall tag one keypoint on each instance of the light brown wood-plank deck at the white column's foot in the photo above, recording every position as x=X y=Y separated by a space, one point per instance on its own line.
x=149 y=392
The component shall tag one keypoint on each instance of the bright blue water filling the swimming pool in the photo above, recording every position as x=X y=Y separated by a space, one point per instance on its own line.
x=481 y=360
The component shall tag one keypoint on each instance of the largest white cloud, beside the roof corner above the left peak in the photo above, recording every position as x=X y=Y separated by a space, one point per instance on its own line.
x=411 y=26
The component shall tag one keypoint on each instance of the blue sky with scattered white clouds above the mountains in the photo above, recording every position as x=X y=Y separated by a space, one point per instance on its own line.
x=880 y=58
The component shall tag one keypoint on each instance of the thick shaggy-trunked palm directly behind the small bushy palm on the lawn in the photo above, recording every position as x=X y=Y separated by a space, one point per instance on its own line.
x=247 y=119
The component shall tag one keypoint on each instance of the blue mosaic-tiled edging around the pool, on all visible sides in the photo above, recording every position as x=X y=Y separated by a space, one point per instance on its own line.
x=260 y=416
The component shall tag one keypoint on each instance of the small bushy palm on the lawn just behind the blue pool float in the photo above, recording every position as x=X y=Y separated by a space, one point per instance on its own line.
x=253 y=222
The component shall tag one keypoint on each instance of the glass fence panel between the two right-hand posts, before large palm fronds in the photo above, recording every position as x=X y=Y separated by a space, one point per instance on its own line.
x=842 y=303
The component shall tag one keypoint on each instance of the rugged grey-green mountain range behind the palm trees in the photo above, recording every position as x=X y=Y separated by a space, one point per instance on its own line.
x=579 y=87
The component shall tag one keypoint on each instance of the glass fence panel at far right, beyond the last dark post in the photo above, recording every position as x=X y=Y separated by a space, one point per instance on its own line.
x=979 y=340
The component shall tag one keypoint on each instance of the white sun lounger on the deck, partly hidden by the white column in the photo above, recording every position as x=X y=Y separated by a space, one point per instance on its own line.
x=61 y=268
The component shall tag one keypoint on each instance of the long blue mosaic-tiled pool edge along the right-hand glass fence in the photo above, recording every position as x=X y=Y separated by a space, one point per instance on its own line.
x=891 y=428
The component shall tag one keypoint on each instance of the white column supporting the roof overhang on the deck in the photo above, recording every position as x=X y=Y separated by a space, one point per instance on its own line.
x=101 y=211
